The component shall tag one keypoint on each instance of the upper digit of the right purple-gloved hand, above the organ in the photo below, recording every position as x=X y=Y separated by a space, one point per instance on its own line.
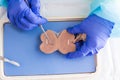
x=75 y=29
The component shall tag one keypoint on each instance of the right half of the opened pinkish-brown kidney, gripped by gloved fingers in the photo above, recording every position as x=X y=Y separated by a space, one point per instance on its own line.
x=65 y=41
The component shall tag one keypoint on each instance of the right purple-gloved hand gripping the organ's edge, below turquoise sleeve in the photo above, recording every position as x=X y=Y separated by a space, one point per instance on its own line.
x=98 y=31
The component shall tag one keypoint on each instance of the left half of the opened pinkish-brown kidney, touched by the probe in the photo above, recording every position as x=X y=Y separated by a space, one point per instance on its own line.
x=46 y=47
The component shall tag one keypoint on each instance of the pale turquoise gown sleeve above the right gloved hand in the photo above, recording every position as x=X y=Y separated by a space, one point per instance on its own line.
x=107 y=9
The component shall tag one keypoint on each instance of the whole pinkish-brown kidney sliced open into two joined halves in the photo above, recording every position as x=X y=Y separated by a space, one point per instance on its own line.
x=63 y=43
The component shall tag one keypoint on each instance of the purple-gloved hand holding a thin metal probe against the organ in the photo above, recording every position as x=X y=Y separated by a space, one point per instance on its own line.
x=24 y=16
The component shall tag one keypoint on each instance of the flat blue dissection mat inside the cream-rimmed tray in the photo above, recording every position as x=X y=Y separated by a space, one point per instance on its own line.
x=23 y=47
